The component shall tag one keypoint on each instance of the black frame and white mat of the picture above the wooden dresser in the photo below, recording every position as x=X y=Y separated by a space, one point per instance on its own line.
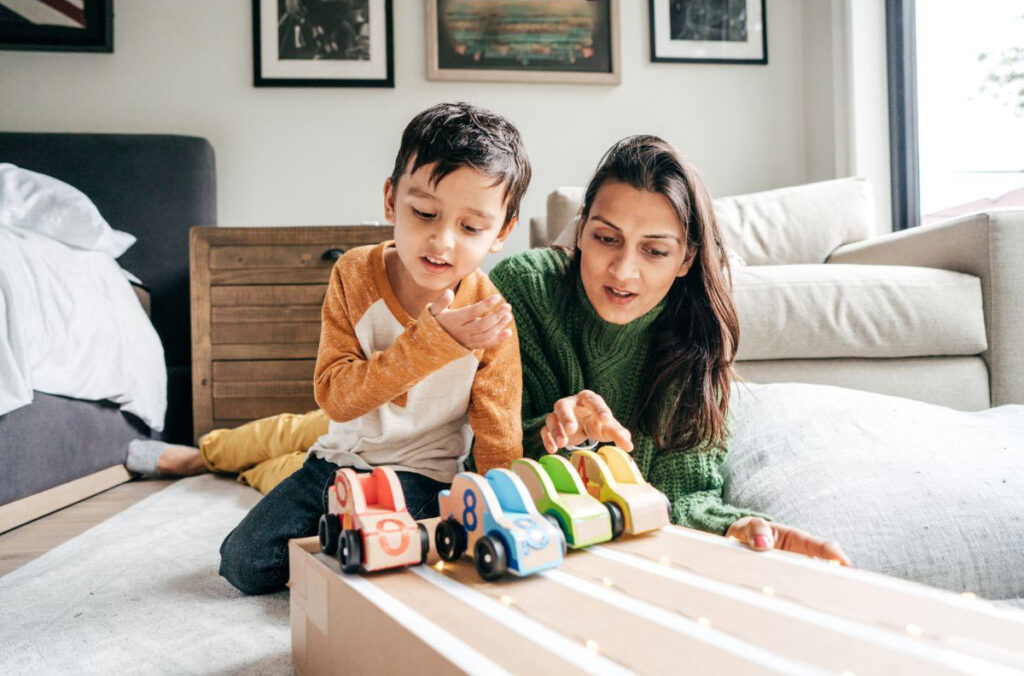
x=312 y=71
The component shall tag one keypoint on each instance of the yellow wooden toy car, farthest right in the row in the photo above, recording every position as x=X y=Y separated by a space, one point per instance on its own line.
x=611 y=476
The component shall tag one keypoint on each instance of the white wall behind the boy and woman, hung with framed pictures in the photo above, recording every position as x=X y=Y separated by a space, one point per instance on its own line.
x=289 y=156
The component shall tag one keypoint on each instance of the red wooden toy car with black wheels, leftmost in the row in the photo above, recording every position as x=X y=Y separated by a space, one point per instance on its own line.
x=367 y=525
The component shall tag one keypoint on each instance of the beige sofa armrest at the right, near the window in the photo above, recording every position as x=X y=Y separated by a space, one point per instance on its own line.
x=990 y=246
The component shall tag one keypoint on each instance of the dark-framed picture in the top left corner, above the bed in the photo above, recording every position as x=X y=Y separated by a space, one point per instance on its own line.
x=58 y=25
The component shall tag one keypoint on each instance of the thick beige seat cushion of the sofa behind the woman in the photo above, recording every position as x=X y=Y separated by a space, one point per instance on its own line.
x=828 y=311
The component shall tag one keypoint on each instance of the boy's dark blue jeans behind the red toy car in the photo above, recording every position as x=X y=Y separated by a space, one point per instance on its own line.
x=254 y=556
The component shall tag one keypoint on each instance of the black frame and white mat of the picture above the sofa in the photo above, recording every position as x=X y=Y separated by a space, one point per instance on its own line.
x=665 y=50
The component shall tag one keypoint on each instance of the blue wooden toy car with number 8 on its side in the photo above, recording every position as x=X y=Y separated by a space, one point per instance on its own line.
x=496 y=518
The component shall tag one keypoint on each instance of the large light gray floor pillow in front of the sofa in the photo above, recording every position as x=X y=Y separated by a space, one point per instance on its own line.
x=909 y=489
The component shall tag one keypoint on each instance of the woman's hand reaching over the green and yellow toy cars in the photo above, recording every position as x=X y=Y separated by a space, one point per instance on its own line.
x=581 y=417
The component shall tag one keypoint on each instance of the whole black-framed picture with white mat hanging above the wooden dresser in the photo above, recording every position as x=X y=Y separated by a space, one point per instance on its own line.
x=323 y=44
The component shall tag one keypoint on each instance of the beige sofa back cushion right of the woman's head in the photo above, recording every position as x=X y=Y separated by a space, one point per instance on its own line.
x=798 y=225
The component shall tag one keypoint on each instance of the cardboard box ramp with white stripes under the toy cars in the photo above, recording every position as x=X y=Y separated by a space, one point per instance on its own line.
x=675 y=601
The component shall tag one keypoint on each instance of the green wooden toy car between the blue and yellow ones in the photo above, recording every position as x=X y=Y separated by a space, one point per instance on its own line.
x=561 y=495
